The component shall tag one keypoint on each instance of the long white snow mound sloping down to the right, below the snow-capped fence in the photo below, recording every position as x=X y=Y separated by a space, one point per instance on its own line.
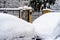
x=13 y=28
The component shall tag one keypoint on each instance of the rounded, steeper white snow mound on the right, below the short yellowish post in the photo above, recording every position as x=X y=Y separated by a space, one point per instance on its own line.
x=47 y=26
